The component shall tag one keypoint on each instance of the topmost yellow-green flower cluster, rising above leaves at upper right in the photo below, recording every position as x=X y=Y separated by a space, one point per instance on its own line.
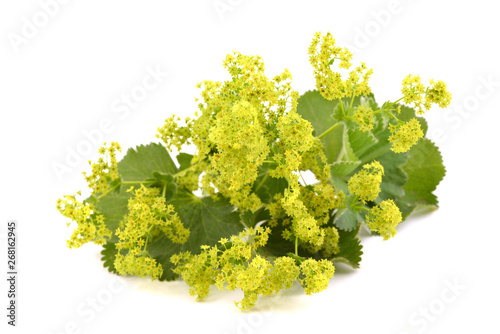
x=322 y=54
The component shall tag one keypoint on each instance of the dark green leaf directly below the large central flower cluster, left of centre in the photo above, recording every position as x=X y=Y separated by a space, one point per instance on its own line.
x=208 y=220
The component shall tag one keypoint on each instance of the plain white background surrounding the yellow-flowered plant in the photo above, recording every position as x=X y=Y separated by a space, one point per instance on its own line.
x=69 y=74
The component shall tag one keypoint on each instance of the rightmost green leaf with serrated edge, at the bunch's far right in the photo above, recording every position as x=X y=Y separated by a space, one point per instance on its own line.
x=425 y=171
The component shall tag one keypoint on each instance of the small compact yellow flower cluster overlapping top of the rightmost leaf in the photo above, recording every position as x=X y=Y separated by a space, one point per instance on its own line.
x=404 y=136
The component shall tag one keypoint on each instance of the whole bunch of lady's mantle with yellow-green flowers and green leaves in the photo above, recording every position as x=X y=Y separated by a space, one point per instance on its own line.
x=259 y=226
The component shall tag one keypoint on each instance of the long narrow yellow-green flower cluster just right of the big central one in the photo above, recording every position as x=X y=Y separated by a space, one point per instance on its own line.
x=308 y=210
